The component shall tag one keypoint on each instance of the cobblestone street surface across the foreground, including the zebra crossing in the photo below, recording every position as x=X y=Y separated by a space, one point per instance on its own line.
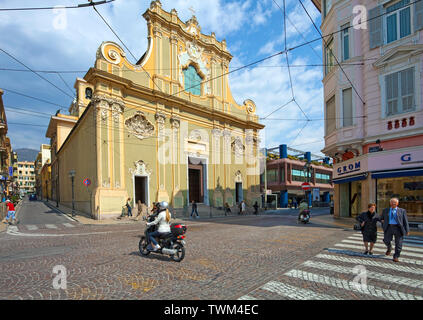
x=251 y=257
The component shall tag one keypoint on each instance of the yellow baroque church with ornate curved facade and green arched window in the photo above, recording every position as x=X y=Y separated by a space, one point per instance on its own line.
x=166 y=128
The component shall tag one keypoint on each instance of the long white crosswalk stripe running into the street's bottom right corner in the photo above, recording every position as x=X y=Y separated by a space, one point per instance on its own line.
x=352 y=286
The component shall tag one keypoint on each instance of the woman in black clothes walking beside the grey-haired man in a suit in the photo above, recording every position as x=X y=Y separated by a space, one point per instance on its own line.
x=368 y=221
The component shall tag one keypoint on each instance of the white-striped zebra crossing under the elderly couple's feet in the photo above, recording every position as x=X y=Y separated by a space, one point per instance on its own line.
x=344 y=272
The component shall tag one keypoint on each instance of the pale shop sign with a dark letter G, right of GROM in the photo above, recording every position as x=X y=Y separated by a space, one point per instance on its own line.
x=409 y=158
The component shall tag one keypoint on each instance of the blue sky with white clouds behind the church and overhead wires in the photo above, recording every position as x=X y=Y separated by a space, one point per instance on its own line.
x=47 y=40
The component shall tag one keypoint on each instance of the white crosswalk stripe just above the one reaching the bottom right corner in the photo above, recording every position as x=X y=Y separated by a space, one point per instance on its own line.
x=369 y=274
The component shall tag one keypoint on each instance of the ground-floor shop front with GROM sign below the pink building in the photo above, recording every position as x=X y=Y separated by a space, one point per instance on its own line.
x=378 y=177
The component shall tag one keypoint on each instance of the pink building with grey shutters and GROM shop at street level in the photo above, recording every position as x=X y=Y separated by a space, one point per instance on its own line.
x=373 y=111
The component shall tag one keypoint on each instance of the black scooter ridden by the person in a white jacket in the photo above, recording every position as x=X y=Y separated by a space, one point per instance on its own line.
x=171 y=243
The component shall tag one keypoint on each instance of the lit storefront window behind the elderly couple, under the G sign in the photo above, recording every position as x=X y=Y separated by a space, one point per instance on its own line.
x=409 y=191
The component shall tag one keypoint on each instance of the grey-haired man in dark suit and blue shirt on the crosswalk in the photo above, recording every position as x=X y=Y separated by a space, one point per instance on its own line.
x=395 y=223
